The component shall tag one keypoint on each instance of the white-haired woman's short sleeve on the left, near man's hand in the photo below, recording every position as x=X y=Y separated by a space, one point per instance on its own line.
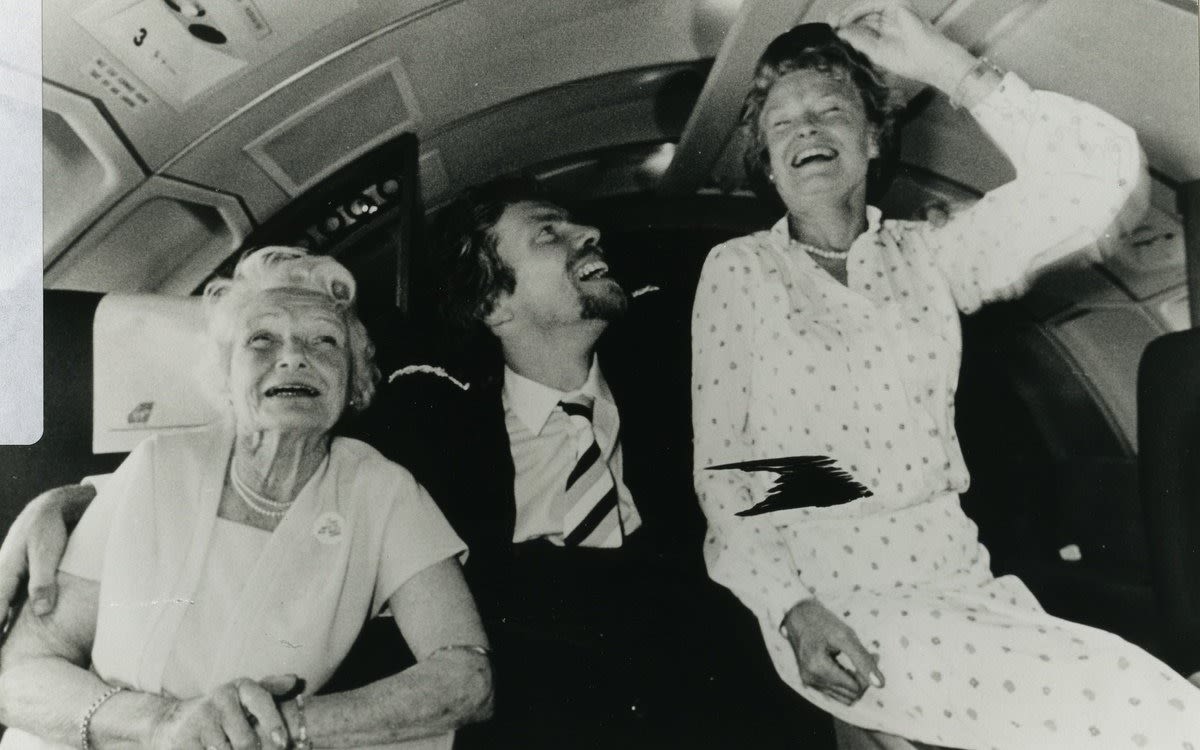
x=86 y=549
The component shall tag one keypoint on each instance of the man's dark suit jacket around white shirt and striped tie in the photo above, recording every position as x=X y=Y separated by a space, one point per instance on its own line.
x=455 y=442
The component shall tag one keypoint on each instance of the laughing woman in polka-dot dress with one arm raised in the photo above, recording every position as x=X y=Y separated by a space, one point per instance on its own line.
x=837 y=333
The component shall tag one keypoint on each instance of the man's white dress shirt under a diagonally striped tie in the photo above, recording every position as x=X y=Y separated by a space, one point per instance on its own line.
x=544 y=452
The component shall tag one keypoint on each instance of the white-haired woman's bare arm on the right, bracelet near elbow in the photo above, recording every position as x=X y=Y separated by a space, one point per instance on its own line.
x=449 y=687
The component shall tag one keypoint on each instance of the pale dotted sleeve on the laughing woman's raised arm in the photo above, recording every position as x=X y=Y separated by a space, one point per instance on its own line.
x=1081 y=179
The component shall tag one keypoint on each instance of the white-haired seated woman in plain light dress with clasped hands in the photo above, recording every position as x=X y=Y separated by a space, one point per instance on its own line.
x=217 y=568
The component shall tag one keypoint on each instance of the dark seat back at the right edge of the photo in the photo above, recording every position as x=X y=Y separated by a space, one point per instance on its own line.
x=1169 y=483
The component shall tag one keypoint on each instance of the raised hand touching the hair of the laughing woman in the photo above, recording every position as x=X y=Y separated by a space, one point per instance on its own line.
x=897 y=39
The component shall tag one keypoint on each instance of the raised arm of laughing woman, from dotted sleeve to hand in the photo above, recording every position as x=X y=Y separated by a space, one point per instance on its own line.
x=1081 y=173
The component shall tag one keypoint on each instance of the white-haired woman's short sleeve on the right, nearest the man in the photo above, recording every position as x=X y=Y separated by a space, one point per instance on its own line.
x=416 y=536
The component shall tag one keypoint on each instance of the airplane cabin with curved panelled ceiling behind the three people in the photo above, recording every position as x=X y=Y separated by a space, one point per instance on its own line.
x=179 y=133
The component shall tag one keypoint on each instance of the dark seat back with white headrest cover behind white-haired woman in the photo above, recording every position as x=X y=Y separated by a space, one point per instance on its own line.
x=141 y=352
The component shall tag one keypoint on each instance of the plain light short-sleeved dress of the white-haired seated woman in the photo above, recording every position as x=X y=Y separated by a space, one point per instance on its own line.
x=190 y=602
